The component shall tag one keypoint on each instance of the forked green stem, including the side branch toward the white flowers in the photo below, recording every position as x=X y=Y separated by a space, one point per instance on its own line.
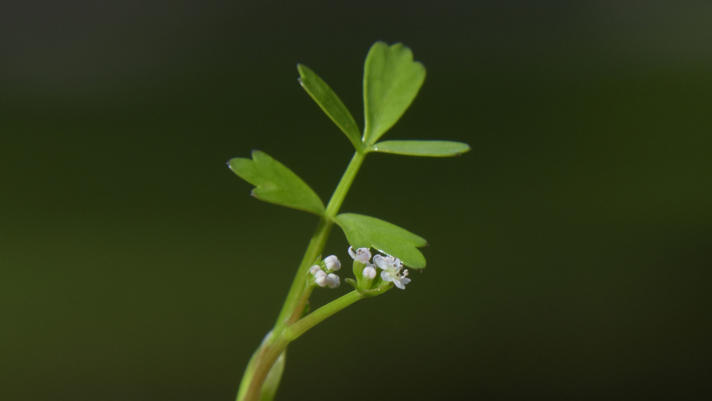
x=264 y=357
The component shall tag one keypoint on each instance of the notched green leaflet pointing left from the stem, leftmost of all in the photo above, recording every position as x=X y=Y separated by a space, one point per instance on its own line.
x=275 y=183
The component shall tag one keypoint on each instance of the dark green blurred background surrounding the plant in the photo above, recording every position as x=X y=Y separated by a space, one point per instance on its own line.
x=569 y=251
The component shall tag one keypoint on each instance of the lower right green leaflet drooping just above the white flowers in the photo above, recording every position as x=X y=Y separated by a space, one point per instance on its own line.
x=369 y=232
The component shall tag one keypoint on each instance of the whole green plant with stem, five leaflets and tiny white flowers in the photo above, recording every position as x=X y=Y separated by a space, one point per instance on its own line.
x=391 y=80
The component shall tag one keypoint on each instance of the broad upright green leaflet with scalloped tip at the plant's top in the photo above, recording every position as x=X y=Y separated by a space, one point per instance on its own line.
x=391 y=79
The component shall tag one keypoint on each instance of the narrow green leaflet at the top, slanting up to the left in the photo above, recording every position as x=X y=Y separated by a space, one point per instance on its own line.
x=330 y=103
